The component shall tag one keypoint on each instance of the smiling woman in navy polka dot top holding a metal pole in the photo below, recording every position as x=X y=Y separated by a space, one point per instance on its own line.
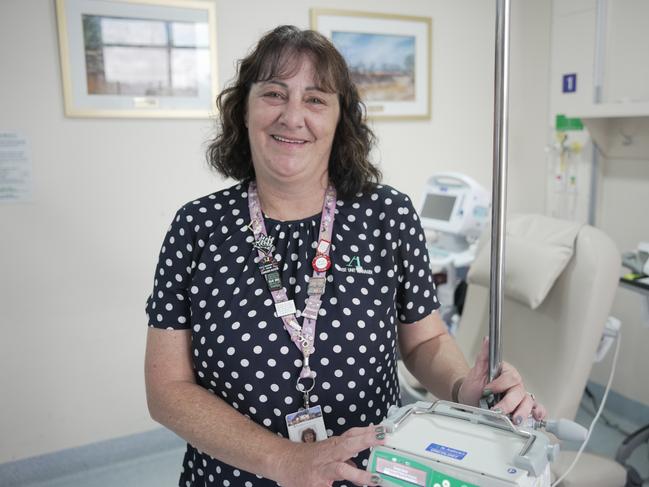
x=232 y=363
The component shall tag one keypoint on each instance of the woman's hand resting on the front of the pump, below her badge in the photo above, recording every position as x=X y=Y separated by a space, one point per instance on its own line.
x=320 y=464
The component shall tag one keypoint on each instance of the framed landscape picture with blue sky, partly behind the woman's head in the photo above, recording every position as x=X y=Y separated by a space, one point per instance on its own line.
x=389 y=57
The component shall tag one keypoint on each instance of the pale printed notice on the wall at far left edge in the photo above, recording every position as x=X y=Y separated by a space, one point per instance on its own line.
x=15 y=168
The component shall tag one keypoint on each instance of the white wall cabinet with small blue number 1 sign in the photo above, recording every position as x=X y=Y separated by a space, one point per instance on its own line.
x=600 y=71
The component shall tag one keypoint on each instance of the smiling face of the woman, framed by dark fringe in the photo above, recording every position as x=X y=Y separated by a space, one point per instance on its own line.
x=291 y=126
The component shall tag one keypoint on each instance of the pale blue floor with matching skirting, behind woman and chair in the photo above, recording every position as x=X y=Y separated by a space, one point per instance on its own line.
x=153 y=459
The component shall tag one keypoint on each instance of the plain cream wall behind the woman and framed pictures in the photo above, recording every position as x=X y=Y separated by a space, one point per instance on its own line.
x=77 y=262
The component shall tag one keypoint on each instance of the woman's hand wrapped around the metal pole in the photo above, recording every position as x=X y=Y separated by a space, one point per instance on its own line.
x=515 y=401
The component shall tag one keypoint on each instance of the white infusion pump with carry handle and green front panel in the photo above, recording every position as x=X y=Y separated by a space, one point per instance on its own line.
x=444 y=444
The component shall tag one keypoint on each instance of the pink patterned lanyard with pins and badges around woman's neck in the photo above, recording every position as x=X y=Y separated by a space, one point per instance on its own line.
x=303 y=336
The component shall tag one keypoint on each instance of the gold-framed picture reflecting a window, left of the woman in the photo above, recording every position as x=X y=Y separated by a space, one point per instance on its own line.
x=138 y=58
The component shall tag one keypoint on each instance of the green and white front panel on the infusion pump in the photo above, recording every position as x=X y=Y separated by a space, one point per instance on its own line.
x=406 y=472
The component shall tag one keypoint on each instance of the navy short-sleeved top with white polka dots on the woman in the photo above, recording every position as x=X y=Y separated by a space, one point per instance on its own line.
x=207 y=281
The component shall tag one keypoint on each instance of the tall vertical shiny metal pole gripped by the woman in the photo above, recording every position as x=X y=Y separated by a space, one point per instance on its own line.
x=499 y=185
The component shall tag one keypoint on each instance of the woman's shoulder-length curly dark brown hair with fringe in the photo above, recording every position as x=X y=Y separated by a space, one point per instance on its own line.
x=277 y=56
